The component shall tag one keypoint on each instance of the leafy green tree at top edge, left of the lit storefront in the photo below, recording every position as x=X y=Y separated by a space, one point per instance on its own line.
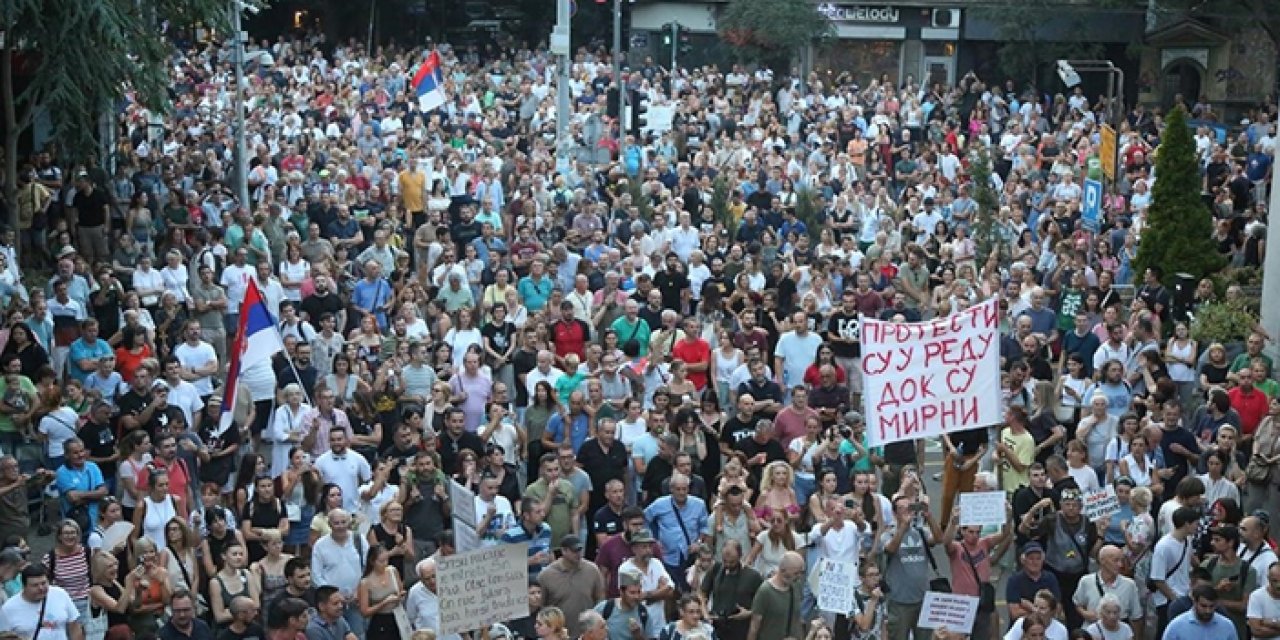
x=772 y=31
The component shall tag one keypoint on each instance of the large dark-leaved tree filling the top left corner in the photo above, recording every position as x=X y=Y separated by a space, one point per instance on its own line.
x=83 y=58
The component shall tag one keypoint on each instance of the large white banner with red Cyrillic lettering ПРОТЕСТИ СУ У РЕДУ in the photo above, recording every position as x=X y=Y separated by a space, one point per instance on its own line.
x=925 y=380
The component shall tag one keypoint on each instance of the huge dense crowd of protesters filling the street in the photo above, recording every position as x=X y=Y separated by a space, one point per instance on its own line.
x=647 y=369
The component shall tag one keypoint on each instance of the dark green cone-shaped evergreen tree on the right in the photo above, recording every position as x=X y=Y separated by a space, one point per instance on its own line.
x=1180 y=231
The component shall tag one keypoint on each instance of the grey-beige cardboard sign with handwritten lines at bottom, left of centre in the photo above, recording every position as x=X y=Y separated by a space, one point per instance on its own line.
x=483 y=587
